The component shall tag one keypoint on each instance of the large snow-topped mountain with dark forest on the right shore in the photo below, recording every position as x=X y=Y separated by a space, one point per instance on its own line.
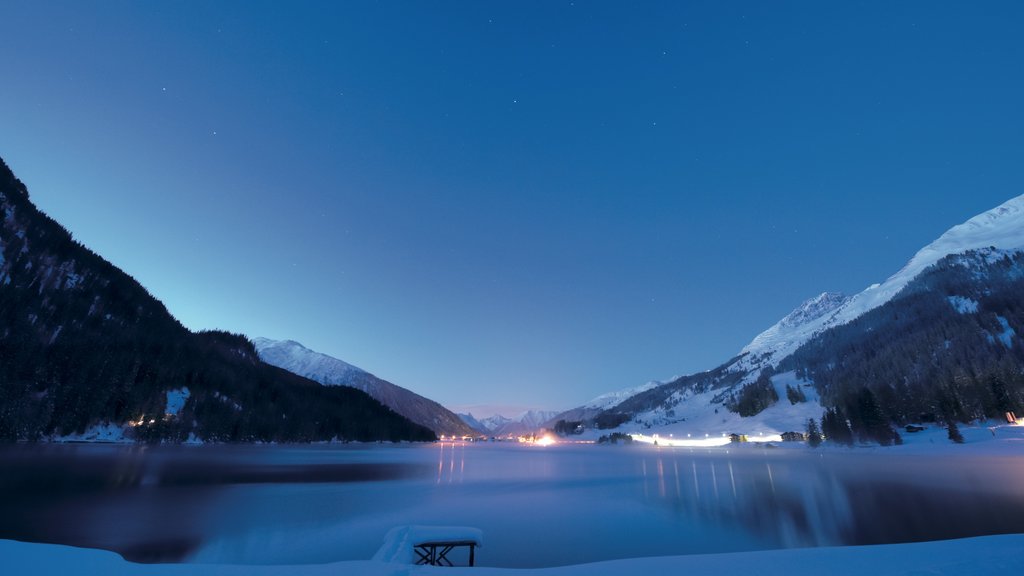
x=936 y=342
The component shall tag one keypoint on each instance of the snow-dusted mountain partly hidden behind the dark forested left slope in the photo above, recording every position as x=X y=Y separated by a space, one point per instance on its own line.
x=330 y=372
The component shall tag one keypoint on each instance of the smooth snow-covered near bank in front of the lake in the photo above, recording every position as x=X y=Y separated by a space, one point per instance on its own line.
x=983 y=557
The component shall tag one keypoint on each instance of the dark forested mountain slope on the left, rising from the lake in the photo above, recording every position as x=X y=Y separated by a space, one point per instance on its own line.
x=84 y=347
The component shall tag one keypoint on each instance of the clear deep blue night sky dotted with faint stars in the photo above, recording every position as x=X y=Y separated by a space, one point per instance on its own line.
x=522 y=204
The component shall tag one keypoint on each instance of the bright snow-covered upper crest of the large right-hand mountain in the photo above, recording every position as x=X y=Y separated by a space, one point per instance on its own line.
x=1001 y=228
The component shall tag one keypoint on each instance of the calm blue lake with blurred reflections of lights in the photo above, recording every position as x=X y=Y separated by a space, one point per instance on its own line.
x=537 y=506
